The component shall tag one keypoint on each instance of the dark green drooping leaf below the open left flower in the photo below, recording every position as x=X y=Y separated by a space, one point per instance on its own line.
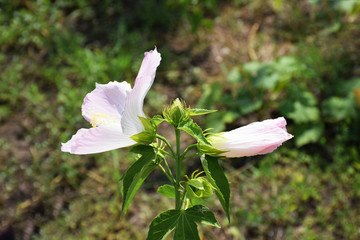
x=137 y=173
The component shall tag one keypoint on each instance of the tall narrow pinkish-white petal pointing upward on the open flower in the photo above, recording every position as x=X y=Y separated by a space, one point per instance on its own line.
x=134 y=106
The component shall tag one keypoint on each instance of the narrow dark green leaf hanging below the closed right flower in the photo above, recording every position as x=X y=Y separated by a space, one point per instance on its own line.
x=217 y=178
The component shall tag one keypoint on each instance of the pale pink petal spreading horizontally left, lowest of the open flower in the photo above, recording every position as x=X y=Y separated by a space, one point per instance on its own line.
x=98 y=139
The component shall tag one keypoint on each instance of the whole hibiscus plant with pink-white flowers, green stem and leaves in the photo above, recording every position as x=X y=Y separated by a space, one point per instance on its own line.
x=115 y=112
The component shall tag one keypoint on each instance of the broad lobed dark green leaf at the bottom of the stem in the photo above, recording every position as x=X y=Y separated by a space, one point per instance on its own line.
x=183 y=220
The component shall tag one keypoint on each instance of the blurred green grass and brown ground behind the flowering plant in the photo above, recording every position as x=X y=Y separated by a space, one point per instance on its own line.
x=252 y=60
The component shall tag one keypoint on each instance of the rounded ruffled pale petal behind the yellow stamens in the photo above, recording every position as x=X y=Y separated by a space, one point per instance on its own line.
x=106 y=103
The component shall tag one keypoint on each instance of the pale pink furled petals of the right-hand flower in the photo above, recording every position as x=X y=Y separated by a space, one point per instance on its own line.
x=253 y=139
